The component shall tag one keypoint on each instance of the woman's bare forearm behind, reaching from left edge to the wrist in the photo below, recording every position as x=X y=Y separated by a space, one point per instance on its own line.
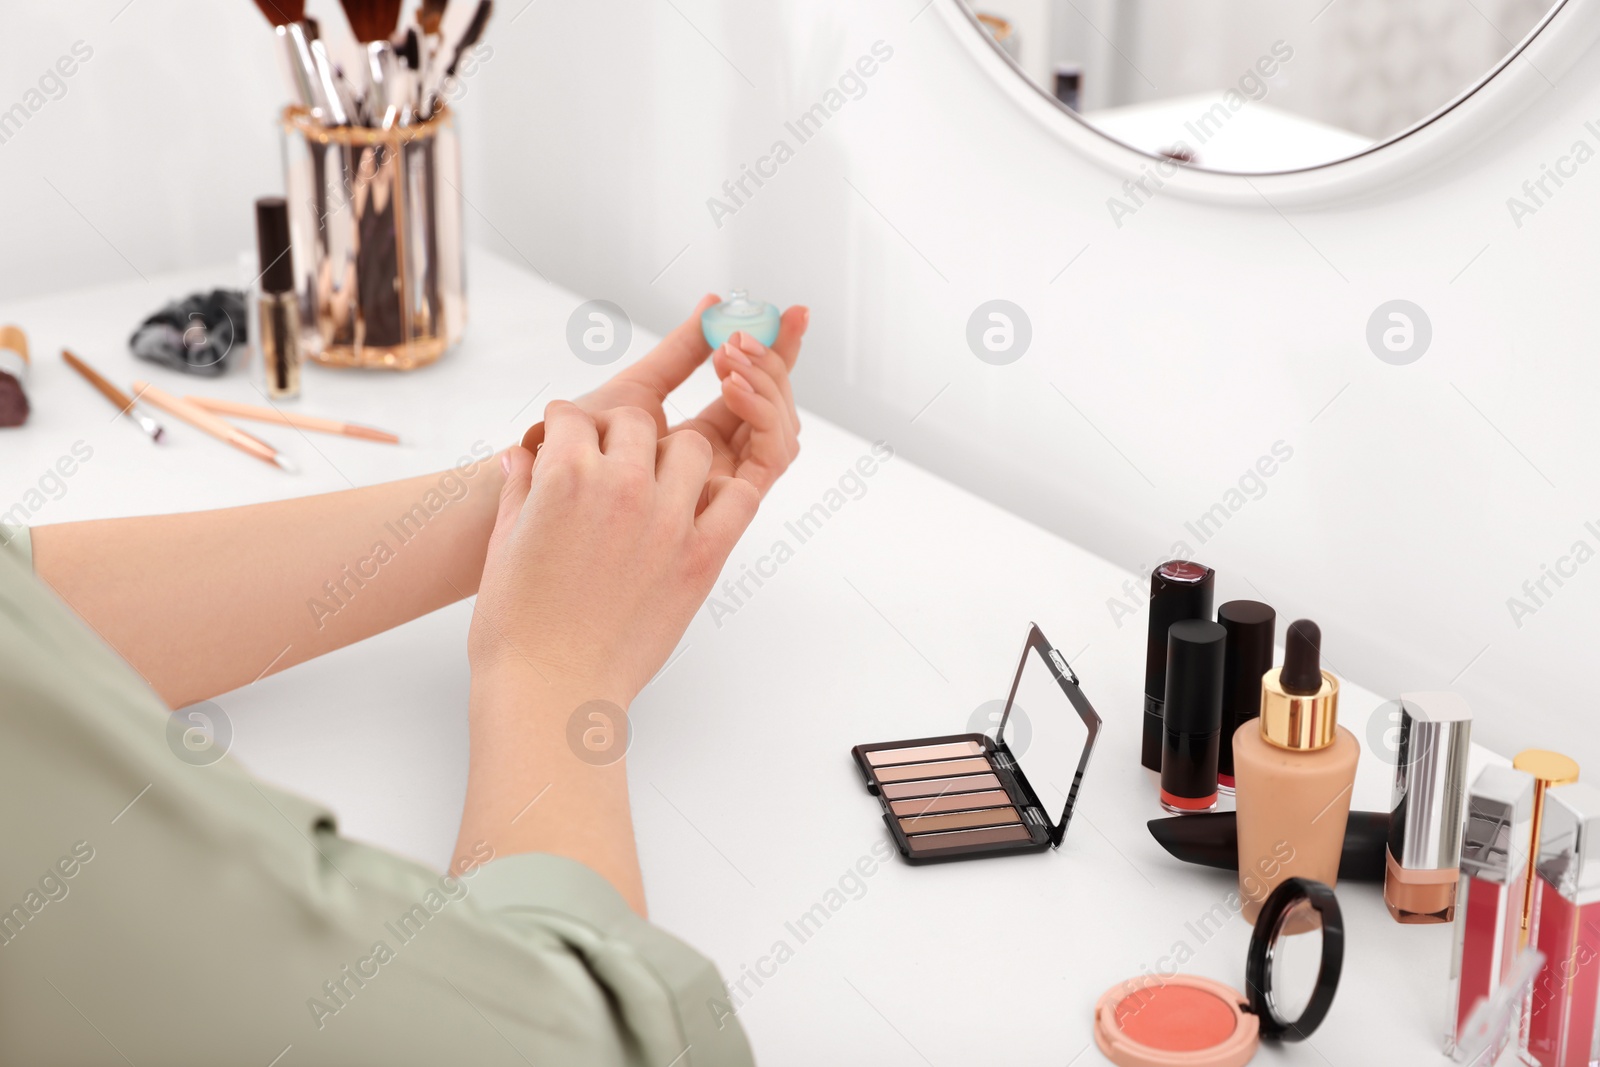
x=207 y=602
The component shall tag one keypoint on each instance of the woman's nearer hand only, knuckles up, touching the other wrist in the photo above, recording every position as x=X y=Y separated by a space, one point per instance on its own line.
x=599 y=561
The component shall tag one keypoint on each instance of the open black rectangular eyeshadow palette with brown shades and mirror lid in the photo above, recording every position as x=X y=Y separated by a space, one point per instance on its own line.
x=966 y=796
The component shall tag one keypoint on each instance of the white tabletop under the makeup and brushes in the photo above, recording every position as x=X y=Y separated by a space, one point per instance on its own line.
x=897 y=620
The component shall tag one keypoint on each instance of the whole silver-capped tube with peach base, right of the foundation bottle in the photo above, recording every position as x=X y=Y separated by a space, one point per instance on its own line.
x=1425 y=829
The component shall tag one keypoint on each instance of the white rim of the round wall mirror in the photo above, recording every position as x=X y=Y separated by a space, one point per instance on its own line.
x=1510 y=87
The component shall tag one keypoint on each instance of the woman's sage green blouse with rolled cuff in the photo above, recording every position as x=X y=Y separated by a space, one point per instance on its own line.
x=159 y=913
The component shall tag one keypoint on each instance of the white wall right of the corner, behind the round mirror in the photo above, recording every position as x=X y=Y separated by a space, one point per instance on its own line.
x=1190 y=340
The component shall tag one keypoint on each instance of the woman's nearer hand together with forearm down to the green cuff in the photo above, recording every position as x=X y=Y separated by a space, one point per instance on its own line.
x=594 y=570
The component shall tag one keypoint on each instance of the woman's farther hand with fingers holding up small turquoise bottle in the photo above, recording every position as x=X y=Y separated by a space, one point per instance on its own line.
x=753 y=428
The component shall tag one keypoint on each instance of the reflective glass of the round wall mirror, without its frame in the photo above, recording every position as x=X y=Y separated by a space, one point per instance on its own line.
x=1257 y=87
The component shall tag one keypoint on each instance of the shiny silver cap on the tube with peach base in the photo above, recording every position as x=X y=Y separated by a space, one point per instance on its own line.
x=1431 y=781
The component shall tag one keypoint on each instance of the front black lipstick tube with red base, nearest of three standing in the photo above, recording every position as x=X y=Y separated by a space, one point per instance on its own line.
x=1193 y=717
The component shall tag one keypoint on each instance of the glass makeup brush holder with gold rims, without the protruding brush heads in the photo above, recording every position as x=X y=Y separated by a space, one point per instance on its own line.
x=375 y=222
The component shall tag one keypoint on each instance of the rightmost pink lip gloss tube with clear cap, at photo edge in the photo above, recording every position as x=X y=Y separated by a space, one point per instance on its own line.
x=1561 y=1028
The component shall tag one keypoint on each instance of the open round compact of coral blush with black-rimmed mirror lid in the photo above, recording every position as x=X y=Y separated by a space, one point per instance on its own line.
x=1186 y=1021
